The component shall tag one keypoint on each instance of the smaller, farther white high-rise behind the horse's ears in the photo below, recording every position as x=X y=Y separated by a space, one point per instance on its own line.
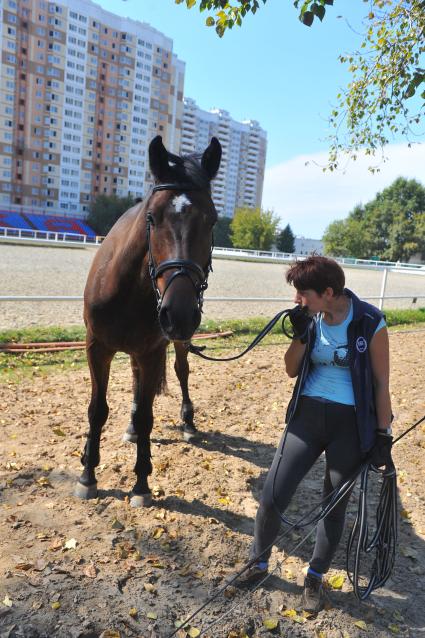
x=240 y=179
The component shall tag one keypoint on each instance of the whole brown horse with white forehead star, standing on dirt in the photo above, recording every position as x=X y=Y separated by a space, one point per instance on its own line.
x=144 y=290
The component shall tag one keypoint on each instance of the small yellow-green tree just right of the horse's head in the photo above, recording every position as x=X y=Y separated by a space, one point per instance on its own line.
x=253 y=228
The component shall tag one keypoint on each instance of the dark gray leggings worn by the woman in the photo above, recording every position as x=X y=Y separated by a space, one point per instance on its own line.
x=317 y=426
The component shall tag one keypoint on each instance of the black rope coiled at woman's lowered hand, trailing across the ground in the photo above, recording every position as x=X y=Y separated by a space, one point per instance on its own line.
x=384 y=540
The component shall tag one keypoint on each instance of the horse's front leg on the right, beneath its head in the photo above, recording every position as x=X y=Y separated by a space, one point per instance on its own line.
x=152 y=375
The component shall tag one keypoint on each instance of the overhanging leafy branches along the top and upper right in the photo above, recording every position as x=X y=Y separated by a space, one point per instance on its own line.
x=386 y=71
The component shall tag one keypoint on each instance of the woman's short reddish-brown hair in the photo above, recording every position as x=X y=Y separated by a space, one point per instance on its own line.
x=317 y=273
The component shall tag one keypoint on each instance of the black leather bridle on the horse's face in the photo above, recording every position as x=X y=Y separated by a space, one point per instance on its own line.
x=184 y=267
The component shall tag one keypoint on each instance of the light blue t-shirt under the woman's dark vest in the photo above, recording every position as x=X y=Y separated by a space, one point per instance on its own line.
x=329 y=376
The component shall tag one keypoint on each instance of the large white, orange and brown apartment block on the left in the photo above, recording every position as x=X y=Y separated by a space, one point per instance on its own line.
x=82 y=92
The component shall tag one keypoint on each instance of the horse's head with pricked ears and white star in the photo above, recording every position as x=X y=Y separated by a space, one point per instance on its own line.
x=179 y=221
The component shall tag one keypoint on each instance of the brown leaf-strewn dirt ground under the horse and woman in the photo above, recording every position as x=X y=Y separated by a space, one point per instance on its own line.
x=100 y=568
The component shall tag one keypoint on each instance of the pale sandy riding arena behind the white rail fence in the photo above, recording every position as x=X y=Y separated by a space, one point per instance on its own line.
x=32 y=270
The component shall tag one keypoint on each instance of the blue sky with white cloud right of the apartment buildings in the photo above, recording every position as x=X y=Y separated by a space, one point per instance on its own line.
x=285 y=75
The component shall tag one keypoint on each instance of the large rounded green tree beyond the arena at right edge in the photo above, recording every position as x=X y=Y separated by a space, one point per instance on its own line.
x=391 y=226
